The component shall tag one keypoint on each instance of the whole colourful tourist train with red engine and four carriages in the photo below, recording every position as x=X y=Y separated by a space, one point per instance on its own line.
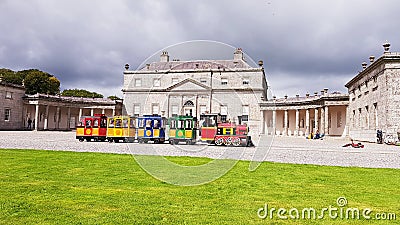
x=157 y=129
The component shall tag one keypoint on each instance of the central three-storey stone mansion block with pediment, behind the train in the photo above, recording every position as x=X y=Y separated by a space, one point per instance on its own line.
x=230 y=87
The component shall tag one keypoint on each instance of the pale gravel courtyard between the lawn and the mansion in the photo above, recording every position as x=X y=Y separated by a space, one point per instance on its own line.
x=274 y=149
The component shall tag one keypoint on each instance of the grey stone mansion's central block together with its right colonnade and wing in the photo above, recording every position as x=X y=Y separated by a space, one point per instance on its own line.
x=239 y=93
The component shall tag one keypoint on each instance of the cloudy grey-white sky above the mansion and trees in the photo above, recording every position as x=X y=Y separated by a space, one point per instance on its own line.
x=306 y=45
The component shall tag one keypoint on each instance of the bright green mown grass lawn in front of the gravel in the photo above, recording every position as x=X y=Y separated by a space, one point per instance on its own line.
x=50 y=187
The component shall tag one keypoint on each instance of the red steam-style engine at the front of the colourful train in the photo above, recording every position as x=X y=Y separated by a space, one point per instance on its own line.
x=216 y=131
